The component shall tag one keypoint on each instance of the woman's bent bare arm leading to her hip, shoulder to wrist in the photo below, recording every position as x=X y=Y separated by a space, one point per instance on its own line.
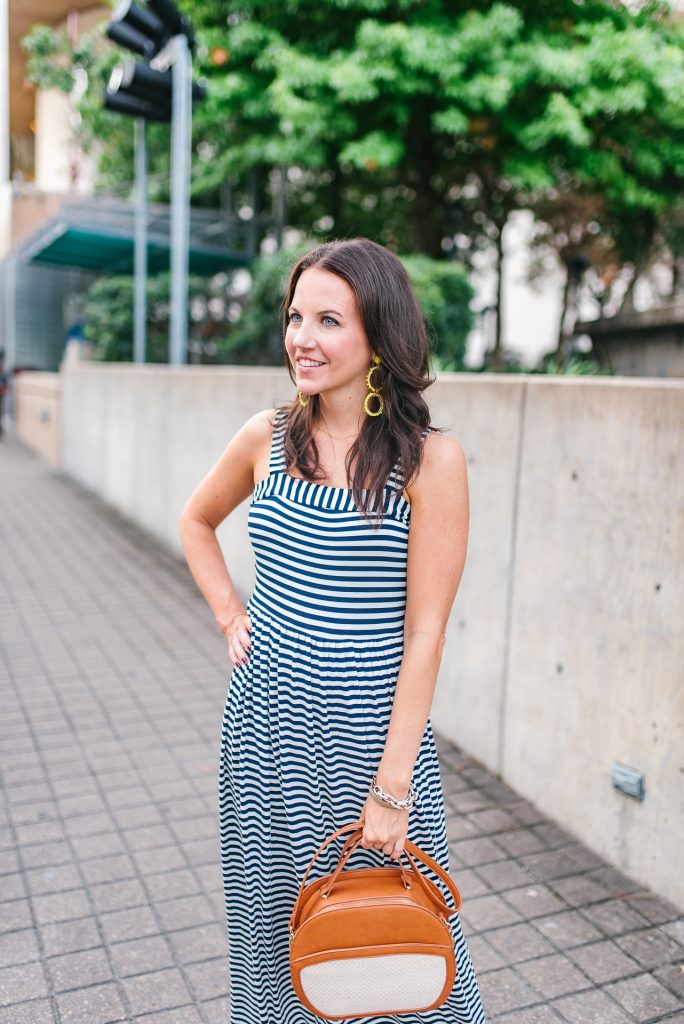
x=225 y=487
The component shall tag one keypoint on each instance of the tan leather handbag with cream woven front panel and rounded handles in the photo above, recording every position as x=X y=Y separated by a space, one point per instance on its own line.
x=372 y=941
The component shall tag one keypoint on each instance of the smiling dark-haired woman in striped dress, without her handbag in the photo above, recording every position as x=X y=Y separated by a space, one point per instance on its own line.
x=359 y=520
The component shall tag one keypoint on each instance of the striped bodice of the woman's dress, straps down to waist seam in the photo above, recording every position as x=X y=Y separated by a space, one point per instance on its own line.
x=322 y=570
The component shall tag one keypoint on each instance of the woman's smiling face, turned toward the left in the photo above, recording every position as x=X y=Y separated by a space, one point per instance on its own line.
x=325 y=328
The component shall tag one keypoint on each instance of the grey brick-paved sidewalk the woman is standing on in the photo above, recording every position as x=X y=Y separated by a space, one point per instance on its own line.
x=113 y=681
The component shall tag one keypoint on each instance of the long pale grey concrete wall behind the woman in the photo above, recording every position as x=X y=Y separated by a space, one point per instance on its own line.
x=565 y=648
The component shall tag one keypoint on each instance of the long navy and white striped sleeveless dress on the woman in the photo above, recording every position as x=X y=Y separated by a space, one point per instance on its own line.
x=305 y=729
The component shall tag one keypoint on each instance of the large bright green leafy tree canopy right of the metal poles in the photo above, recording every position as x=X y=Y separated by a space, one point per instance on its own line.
x=425 y=125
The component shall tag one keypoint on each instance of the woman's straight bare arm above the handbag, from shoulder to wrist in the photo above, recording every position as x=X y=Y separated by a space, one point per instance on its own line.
x=438 y=543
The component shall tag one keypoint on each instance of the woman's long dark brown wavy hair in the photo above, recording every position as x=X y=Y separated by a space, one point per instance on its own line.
x=396 y=331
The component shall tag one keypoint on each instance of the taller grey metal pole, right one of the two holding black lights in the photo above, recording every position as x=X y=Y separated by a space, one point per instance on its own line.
x=182 y=120
